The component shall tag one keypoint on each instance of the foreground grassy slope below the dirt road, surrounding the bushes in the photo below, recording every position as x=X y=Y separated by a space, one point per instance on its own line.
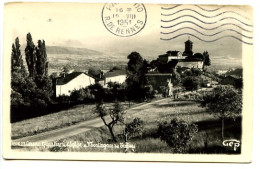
x=207 y=140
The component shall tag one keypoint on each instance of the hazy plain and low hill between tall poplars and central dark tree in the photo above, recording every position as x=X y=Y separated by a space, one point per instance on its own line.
x=81 y=59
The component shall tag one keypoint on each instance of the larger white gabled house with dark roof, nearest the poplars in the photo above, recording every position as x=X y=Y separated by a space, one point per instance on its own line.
x=72 y=81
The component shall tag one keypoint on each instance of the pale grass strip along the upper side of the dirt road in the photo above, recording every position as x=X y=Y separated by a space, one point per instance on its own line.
x=57 y=120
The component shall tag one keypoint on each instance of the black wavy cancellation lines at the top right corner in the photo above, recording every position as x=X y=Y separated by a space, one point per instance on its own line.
x=206 y=23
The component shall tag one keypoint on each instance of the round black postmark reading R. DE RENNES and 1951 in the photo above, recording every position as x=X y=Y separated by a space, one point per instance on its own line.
x=124 y=19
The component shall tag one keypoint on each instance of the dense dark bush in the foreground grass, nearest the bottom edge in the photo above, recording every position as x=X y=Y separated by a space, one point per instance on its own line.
x=177 y=134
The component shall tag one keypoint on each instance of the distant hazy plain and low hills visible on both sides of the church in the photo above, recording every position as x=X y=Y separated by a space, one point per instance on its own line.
x=61 y=55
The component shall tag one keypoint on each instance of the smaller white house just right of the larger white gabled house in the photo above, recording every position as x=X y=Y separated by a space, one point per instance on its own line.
x=115 y=75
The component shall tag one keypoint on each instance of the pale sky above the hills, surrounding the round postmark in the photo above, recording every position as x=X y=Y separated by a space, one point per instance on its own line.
x=80 y=25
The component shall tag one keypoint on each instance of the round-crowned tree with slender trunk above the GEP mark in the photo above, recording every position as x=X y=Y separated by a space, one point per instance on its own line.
x=225 y=102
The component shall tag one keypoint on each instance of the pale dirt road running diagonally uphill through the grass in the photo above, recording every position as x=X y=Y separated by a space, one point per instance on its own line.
x=78 y=128
